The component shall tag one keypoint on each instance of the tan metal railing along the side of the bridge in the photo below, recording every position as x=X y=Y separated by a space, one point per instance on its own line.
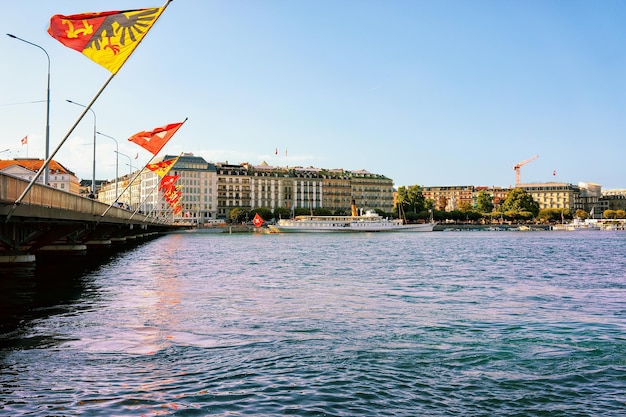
x=11 y=188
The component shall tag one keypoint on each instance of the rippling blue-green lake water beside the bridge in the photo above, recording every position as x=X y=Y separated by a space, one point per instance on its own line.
x=422 y=324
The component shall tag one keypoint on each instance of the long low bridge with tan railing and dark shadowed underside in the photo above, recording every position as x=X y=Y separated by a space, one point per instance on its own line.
x=51 y=221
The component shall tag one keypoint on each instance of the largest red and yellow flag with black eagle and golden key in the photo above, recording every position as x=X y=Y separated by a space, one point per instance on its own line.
x=107 y=38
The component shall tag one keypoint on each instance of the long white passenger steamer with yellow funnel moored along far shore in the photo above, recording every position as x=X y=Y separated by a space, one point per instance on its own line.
x=368 y=222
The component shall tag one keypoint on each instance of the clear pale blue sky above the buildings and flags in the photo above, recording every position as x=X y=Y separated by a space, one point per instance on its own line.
x=424 y=92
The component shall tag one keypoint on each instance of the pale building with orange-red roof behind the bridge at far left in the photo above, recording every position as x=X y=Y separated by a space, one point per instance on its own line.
x=26 y=169
